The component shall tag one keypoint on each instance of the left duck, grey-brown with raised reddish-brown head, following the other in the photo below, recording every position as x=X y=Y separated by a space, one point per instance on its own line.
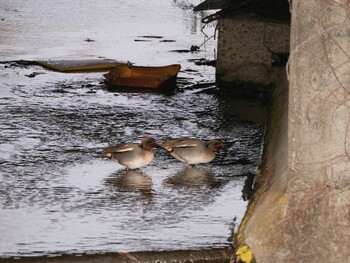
x=132 y=155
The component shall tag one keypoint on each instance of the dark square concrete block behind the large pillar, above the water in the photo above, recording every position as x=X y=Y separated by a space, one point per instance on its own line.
x=246 y=48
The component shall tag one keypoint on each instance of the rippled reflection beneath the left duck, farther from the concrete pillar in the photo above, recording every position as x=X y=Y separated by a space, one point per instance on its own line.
x=131 y=181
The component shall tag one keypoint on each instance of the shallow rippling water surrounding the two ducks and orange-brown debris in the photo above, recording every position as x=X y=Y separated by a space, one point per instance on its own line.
x=57 y=193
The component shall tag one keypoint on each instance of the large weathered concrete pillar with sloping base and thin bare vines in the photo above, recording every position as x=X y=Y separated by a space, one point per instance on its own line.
x=301 y=208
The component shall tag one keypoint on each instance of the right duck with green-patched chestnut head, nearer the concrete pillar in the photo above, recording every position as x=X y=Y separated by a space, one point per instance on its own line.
x=192 y=151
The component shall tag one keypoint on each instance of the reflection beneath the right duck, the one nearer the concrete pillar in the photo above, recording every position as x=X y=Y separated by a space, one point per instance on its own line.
x=193 y=177
